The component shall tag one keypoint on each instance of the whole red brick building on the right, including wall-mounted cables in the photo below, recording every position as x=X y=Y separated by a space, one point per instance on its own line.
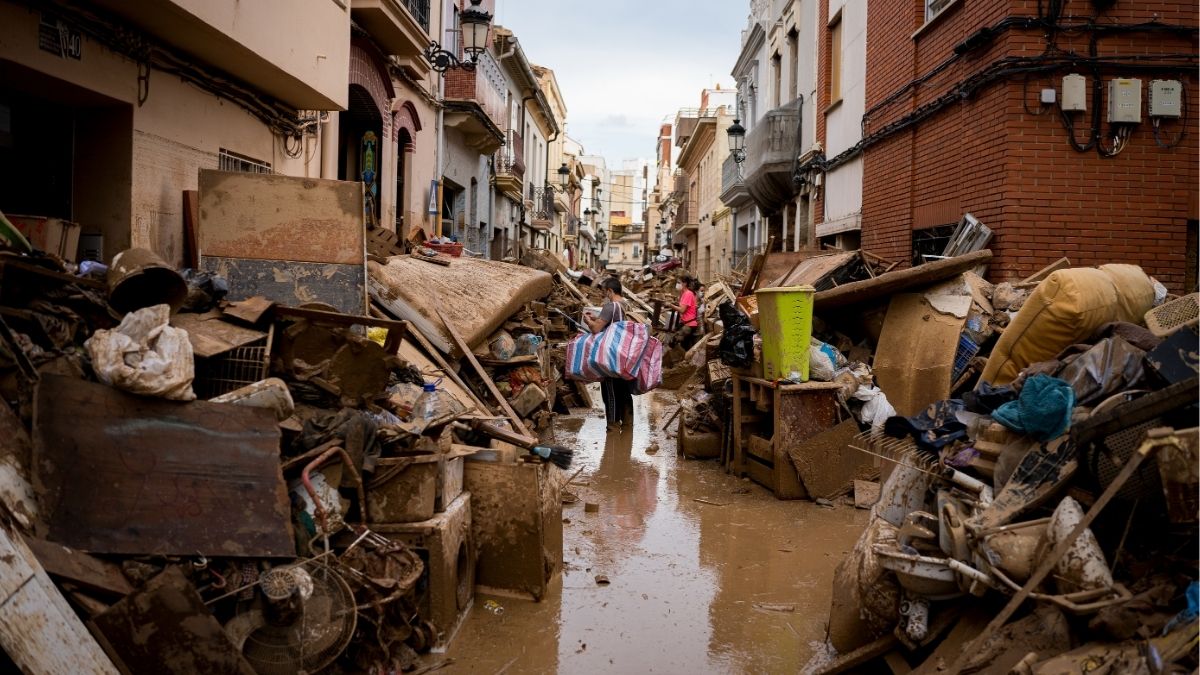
x=956 y=124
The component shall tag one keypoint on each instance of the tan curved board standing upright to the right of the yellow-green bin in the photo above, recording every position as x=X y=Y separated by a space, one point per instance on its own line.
x=915 y=359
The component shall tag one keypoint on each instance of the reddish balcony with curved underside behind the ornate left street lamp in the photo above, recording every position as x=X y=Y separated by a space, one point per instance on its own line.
x=475 y=104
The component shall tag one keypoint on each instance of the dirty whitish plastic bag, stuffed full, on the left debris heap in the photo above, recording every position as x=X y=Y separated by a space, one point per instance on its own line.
x=146 y=356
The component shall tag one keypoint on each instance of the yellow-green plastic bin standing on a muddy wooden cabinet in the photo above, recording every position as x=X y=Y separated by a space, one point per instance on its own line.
x=785 y=324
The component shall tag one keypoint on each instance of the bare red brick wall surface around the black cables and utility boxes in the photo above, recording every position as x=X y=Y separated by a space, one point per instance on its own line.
x=1000 y=156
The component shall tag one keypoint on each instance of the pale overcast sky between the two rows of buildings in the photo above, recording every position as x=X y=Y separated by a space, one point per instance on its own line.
x=626 y=65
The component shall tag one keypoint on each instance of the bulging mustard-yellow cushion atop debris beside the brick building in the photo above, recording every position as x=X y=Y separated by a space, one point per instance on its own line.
x=1065 y=309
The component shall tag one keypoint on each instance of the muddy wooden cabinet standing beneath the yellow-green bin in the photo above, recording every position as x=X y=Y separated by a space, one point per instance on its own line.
x=769 y=419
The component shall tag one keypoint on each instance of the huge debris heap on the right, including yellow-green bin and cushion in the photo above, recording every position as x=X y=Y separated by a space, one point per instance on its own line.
x=1029 y=455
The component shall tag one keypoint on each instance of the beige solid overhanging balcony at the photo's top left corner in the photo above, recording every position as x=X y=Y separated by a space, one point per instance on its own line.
x=305 y=71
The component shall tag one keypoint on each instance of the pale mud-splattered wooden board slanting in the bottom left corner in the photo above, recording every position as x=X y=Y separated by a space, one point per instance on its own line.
x=39 y=630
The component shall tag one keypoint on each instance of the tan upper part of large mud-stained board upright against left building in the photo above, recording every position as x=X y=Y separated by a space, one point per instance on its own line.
x=281 y=218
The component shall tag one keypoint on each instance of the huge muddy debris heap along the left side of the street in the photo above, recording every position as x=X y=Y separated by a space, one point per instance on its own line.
x=268 y=488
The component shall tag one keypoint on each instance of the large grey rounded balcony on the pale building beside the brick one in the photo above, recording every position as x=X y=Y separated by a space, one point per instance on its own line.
x=772 y=148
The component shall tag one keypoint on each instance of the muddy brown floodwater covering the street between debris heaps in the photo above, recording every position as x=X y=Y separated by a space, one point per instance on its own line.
x=699 y=565
